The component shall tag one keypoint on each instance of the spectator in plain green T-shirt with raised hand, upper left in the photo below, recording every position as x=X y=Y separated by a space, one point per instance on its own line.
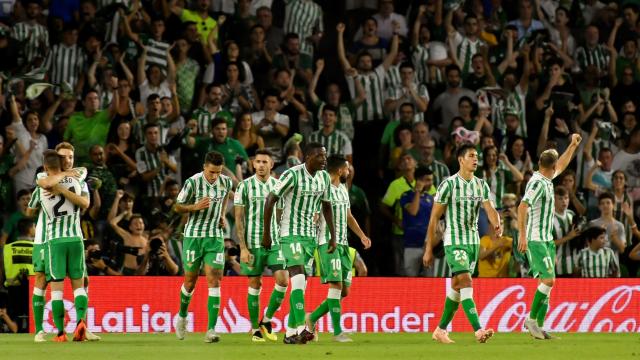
x=90 y=126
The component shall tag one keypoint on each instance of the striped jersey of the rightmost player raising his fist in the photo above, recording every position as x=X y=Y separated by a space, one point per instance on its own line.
x=539 y=196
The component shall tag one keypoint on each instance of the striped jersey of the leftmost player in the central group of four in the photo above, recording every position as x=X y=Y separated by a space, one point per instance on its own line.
x=205 y=222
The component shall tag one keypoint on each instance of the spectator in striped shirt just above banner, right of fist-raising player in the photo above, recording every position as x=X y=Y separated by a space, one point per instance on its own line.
x=597 y=260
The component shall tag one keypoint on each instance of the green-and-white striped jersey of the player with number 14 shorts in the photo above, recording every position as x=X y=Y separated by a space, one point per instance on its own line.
x=302 y=196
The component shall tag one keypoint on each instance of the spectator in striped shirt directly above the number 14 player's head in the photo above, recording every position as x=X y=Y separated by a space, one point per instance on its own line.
x=335 y=141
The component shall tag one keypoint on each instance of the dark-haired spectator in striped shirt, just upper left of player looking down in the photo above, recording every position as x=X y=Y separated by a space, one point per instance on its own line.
x=153 y=163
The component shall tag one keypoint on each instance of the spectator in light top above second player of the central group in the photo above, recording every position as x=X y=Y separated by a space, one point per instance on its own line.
x=272 y=125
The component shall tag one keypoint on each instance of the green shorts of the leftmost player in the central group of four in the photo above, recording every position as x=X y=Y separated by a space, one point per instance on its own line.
x=207 y=250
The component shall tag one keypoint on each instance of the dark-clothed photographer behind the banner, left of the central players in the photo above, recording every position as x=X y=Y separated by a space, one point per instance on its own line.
x=157 y=260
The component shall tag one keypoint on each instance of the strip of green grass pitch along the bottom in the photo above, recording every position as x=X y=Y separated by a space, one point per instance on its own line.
x=510 y=346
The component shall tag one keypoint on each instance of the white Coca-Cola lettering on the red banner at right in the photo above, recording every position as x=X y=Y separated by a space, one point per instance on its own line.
x=563 y=317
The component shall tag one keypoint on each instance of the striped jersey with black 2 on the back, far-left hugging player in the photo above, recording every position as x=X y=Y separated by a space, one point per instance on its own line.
x=62 y=216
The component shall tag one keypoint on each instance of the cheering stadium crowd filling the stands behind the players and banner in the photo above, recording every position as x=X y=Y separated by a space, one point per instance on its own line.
x=143 y=89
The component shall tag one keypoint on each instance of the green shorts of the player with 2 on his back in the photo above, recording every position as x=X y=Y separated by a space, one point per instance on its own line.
x=65 y=258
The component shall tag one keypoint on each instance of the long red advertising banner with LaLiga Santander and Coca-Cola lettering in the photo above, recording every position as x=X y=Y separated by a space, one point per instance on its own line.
x=150 y=304
